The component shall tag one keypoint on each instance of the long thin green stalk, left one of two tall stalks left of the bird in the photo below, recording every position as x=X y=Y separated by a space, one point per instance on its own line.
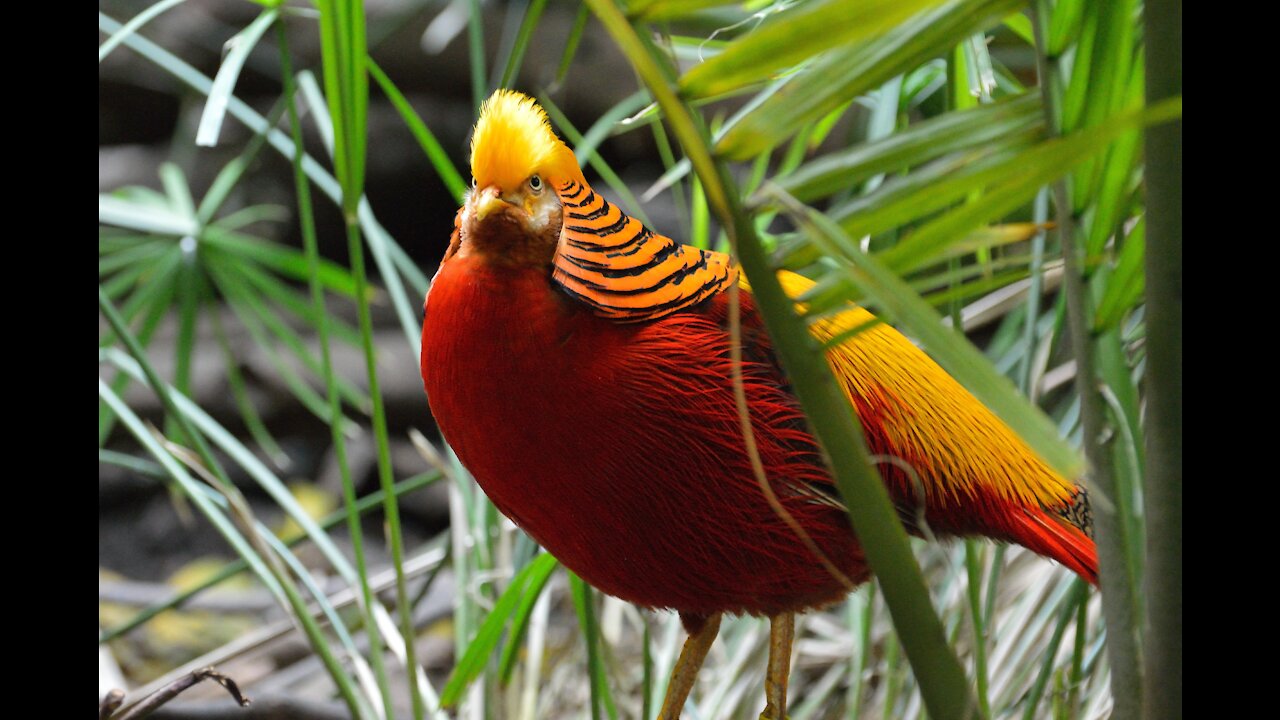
x=307 y=221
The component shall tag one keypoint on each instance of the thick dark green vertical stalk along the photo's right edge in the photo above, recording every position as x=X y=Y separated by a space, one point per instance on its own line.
x=1164 y=377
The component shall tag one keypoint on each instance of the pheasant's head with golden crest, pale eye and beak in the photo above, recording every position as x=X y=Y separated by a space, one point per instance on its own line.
x=513 y=215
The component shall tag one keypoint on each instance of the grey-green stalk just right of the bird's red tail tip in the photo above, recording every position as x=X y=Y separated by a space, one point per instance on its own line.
x=1119 y=596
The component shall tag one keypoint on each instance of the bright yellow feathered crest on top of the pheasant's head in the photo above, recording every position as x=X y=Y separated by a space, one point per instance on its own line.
x=514 y=140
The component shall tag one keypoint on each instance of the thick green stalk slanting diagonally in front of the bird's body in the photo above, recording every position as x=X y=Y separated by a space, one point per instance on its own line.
x=941 y=677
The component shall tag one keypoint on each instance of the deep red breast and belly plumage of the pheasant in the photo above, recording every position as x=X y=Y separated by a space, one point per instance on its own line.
x=619 y=448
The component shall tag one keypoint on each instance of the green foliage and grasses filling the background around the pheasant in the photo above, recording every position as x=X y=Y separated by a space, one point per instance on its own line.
x=273 y=496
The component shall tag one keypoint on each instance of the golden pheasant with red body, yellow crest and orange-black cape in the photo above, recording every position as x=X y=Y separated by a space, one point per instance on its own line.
x=580 y=366
